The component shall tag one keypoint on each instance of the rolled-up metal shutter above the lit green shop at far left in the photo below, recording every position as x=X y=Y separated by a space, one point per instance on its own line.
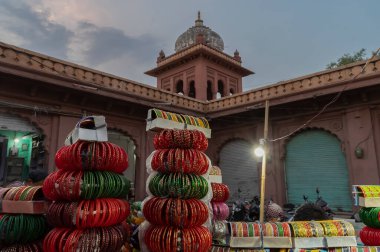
x=11 y=122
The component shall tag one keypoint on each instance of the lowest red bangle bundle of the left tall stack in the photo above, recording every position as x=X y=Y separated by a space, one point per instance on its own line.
x=91 y=239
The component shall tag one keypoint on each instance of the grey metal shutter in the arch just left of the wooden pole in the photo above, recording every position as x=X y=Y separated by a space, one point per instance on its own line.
x=239 y=170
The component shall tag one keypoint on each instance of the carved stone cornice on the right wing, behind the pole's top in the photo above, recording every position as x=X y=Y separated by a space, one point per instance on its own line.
x=330 y=81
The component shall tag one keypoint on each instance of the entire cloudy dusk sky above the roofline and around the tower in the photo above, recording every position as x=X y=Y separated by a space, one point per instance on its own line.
x=278 y=40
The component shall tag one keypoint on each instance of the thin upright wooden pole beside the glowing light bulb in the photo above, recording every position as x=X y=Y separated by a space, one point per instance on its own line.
x=264 y=162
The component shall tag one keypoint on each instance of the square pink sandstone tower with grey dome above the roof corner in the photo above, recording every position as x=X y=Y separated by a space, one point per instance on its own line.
x=199 y=68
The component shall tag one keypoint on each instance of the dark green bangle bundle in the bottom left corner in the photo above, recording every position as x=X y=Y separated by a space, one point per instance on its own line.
x=21 y=228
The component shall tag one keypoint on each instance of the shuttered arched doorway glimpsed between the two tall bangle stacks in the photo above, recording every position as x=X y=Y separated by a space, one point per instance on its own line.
x=128 y=145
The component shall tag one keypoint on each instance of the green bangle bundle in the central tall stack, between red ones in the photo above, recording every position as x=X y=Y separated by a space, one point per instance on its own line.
x=178 y=185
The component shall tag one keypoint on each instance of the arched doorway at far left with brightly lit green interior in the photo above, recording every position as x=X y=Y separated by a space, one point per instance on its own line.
x=22 y=151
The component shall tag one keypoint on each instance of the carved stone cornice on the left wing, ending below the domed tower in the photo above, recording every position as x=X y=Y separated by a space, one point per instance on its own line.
x=79 y=77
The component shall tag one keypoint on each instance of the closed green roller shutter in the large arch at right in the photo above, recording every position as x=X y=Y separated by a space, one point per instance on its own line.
x=314 y=159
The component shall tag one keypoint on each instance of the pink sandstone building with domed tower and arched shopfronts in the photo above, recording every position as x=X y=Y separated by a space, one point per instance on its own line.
x=42 y=98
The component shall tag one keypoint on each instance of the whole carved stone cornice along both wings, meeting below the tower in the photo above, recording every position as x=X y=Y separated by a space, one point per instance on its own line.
x=75 y=77
